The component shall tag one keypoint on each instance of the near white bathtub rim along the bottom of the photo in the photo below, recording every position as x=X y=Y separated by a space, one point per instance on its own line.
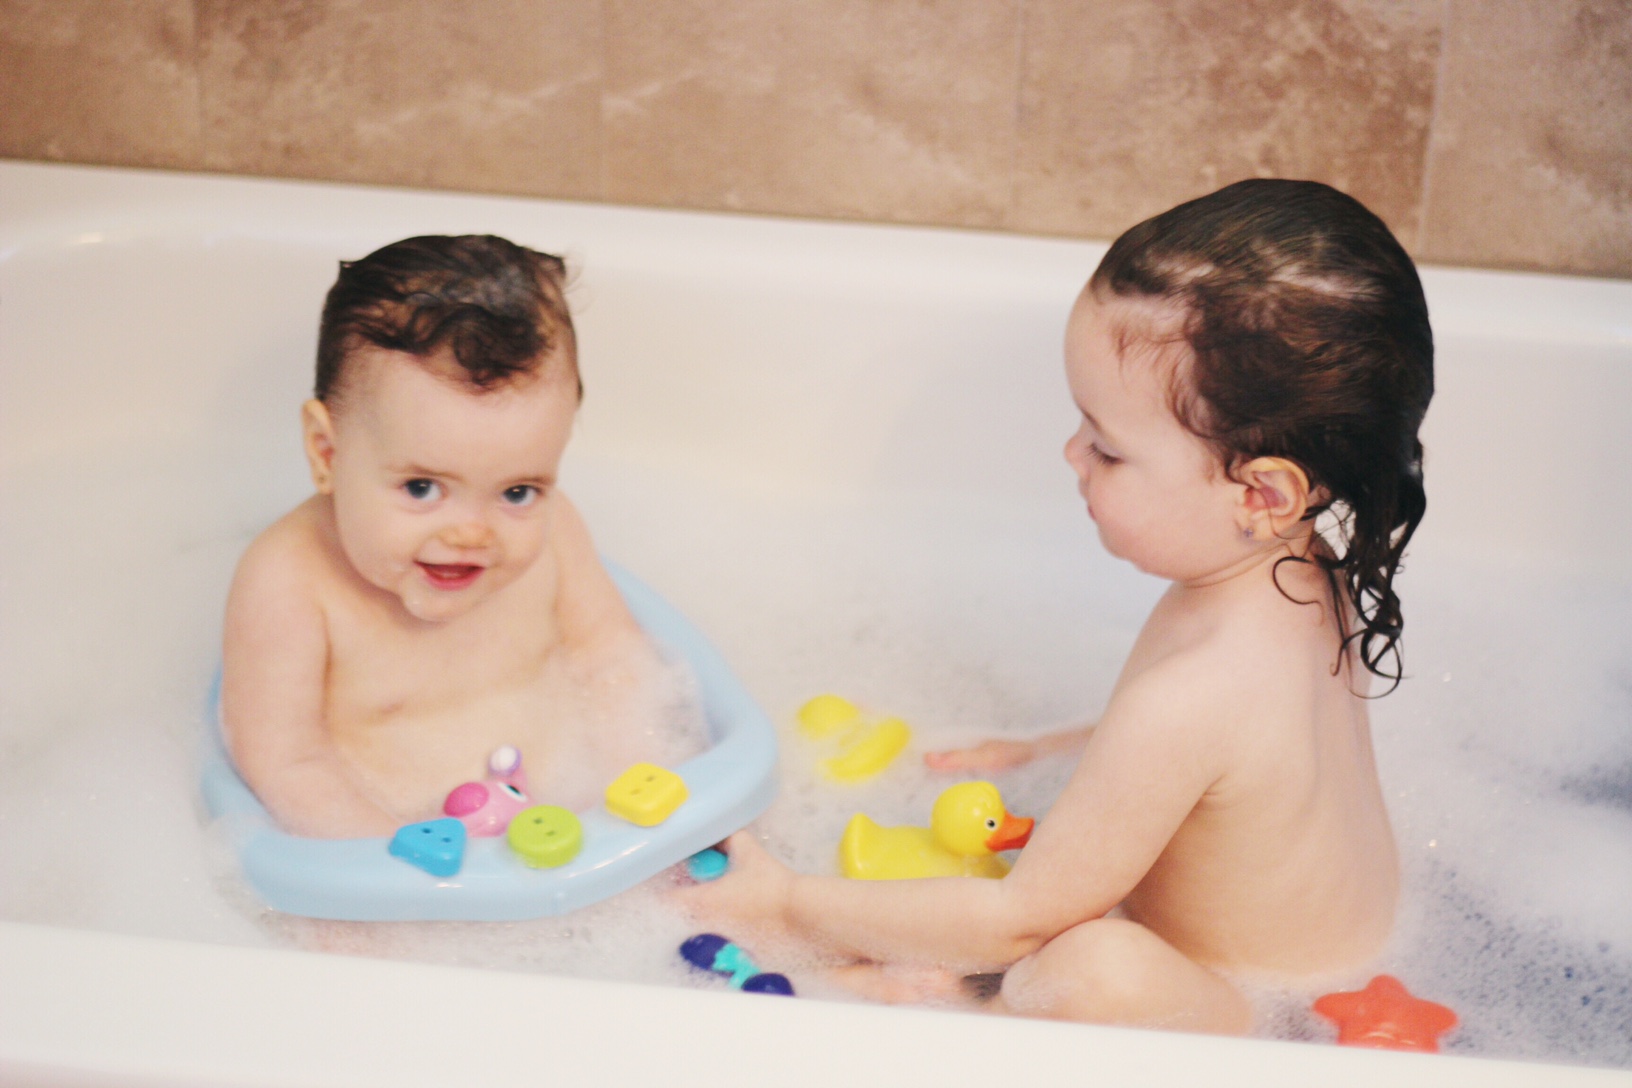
x=177 y=1012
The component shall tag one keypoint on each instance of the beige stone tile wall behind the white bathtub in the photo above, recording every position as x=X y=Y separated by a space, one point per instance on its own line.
x=1491 y=133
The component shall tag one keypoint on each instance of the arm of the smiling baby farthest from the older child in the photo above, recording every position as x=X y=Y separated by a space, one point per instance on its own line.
x=272 y=701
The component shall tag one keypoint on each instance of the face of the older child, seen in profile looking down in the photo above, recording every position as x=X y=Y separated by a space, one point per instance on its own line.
x=1153 y=489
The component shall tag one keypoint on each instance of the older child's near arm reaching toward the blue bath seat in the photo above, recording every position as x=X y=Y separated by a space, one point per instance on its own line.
x=1142 y=774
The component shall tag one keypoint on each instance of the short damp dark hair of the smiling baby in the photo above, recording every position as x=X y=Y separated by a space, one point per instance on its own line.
x=497 y=306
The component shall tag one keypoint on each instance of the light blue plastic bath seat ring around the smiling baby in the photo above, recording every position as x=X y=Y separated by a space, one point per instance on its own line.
x=357 y=880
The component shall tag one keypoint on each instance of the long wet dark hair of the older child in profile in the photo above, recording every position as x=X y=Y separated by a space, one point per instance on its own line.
x=1311 y=342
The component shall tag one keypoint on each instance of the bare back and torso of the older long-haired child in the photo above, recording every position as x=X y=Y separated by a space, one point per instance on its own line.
x=1288 y=860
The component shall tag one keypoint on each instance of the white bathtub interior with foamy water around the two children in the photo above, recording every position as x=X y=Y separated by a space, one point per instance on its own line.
x=838 y=451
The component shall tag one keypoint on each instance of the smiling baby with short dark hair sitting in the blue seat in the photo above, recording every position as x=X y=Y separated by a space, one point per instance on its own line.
x=438 y=596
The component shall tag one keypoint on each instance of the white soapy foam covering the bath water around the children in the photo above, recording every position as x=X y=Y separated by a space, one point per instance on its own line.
x=1504 y=756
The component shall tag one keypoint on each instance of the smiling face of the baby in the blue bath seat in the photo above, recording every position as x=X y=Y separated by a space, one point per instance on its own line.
x=440 y=490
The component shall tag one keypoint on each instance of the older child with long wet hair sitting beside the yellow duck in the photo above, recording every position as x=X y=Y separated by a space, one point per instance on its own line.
x=1251 y=371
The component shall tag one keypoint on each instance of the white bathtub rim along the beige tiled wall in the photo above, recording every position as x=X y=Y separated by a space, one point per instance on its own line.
x=56 y=200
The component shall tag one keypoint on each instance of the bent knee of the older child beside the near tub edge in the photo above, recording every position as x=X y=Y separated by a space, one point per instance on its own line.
x=1112 y=971
